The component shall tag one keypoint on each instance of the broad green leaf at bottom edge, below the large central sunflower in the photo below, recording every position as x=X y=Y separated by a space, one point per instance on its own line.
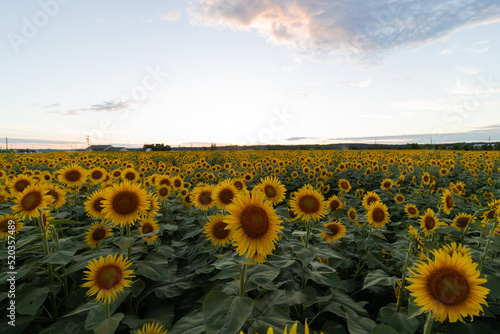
x=224 y=313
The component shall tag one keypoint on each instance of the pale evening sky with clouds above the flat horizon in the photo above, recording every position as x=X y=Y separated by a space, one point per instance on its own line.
x=246 y=72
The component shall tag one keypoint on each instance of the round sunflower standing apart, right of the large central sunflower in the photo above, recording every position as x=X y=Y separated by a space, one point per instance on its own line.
x=308 y=204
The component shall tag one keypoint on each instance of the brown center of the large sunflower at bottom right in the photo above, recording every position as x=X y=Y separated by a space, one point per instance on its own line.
x=448 y=286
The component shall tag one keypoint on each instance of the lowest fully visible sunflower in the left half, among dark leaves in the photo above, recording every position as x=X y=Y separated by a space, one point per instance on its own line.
x=107 y=277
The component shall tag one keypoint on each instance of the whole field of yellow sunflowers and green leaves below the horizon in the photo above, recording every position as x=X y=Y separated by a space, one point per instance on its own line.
x=224 y=242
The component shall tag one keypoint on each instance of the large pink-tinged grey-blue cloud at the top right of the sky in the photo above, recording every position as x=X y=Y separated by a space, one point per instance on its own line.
x=355 y=28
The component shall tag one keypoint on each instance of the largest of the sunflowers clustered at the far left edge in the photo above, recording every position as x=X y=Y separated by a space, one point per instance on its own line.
x=33 y=199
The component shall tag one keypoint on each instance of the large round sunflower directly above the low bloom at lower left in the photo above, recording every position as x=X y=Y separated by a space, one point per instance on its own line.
x=124 y=203
